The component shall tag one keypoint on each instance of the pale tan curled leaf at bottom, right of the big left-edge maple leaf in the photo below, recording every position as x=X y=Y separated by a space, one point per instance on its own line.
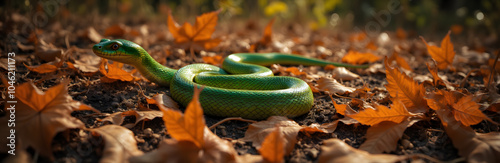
x=120 y=143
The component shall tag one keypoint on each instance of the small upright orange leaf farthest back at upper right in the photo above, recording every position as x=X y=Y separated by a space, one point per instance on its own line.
x=442 y=55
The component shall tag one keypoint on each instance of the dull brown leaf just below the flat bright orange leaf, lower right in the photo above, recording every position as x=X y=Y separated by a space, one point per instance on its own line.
x=384 y=136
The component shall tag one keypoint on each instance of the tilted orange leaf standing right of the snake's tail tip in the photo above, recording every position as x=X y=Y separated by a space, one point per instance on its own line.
x=406 y=89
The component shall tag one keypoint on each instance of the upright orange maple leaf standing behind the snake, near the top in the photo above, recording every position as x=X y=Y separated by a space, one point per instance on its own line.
x=198 y=35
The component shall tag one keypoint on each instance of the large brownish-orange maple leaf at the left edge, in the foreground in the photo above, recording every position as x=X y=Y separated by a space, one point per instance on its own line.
x=41 y=115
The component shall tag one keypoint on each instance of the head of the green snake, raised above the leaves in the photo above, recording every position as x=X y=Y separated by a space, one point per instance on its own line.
x=119 y=50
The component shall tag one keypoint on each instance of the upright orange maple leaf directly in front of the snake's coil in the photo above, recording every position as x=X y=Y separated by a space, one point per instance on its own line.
x=188 y=127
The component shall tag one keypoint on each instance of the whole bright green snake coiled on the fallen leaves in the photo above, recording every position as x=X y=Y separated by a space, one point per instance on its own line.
x=243 y=87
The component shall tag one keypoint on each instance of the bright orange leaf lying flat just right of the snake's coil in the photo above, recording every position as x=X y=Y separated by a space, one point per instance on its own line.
x=396 y=114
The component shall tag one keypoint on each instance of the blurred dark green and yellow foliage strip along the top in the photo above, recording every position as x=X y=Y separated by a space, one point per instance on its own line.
x=422 y=16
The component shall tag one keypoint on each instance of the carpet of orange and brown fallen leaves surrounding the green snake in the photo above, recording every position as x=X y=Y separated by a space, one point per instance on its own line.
x=382 y=110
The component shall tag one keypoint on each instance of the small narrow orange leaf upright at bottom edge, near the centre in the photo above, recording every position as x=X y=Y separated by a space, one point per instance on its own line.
x=273 y=147
